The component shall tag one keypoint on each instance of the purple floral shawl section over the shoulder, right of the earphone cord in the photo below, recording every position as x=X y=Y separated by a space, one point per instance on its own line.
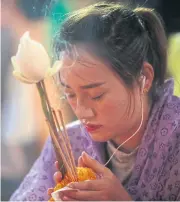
x=156 y=175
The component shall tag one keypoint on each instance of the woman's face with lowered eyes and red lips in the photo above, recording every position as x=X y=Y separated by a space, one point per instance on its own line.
x=99 y=97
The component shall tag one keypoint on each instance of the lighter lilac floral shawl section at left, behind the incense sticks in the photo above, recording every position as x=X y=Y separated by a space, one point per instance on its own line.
x=40 y=178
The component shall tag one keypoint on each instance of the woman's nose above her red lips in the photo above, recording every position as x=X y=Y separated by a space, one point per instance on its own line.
x=83 y=111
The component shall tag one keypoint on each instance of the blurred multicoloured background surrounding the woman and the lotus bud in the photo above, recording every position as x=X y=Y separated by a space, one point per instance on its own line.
x=23 y=129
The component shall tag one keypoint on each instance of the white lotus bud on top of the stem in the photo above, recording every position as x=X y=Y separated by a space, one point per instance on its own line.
x=32 y=63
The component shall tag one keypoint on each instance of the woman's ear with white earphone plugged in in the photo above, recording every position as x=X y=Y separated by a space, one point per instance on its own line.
x=148 y=73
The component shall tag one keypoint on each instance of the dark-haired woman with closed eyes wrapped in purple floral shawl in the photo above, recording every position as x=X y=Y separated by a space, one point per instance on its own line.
x=113 y=74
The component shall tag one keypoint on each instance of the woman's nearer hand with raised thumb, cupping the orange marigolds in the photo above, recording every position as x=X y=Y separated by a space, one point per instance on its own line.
x=106 y=188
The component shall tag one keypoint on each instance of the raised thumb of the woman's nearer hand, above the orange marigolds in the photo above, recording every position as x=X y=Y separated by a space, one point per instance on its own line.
x=95 y=165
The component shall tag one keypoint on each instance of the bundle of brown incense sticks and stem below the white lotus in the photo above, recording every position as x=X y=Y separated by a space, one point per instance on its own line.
x=60 y=140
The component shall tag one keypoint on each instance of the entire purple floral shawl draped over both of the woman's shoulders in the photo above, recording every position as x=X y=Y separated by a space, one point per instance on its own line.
x=156 y=174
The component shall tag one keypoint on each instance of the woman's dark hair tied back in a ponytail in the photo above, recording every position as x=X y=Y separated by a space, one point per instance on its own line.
x=122 y=36
